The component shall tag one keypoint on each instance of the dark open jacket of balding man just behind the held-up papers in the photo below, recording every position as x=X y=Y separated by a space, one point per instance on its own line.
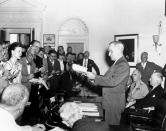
x=91 y=64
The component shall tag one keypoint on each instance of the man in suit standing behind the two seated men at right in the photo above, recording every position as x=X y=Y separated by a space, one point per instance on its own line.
x=147 y=68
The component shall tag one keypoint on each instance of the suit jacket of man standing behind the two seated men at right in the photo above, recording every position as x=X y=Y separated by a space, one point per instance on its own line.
x=147 y=71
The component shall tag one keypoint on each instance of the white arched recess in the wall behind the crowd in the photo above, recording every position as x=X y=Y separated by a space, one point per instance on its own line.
x=74 y=32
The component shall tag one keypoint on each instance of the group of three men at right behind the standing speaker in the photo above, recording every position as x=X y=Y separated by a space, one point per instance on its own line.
x=145 y=87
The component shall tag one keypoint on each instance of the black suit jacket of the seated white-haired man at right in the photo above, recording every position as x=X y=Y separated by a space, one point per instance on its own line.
x=151 y=99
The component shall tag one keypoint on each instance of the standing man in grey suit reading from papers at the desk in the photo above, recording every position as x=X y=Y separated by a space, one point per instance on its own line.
x=114 y=83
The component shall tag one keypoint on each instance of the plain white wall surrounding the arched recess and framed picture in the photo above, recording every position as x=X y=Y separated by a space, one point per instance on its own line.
x=106 y=18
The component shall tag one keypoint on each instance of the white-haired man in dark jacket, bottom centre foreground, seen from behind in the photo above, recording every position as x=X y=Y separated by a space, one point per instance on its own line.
x=72 y=115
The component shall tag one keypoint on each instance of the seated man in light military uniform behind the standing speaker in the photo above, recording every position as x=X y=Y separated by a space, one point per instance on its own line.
x=138 y=88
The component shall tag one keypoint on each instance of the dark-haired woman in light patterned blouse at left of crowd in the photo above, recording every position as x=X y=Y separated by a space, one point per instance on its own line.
x=12 y=66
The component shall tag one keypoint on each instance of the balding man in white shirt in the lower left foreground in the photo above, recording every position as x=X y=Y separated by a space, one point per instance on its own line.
x=13 y=102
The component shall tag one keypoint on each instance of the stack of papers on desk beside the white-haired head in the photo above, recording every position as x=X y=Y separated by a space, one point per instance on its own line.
x=89 y=109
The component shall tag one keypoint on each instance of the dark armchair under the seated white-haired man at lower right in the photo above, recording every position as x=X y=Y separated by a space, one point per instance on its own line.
x=155 y=121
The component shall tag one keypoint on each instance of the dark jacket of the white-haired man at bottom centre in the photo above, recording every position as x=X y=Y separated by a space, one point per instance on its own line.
x=89 y=125
